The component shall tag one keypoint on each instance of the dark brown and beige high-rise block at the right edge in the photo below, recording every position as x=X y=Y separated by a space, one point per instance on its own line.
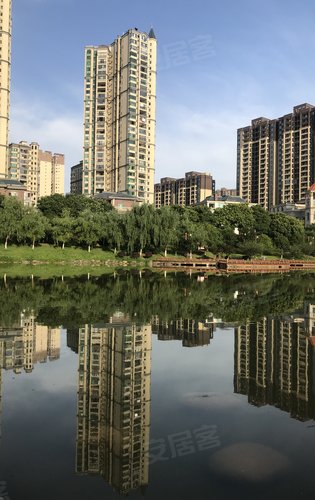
x=275 y=158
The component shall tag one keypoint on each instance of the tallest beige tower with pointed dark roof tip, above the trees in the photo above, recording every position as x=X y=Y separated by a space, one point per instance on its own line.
x=119 y=116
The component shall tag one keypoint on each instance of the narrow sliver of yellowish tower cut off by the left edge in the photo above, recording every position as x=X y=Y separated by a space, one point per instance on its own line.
x=5 y=68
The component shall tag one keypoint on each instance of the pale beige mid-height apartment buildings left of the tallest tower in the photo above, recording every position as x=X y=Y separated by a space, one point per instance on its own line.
x=42 y=172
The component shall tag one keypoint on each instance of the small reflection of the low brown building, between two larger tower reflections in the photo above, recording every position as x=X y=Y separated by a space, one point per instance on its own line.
x=191 y=332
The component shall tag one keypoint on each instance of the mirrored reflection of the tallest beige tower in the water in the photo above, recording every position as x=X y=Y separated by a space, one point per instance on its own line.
x=114 y=402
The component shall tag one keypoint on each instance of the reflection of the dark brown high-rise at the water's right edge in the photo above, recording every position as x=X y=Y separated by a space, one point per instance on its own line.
x=275 y=363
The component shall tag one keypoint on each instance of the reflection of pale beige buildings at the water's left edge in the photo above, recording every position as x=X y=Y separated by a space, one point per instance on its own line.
x=28 y=343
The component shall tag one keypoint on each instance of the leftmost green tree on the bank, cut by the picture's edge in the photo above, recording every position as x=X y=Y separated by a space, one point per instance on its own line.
x=11 y=213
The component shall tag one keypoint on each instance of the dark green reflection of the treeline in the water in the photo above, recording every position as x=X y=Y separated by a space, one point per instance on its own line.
x=73 y=302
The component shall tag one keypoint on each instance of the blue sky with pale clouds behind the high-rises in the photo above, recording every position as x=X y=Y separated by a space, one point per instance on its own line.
x=220 y=65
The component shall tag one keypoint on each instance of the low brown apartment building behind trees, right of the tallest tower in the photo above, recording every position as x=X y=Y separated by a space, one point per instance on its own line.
x=188 y=191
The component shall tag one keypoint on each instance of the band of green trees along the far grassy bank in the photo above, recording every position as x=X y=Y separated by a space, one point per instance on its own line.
x=79 y=221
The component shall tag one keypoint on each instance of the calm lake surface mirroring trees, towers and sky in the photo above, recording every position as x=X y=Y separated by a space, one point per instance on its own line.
x=163 y=386
